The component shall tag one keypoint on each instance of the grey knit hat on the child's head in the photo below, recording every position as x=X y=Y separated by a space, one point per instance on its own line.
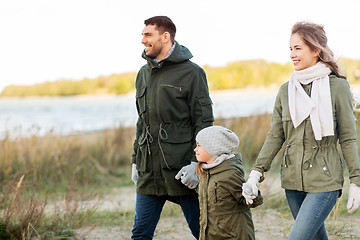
x=217 y=140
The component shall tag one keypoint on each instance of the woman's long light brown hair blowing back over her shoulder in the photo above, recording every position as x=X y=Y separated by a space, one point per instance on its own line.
x=314 y=36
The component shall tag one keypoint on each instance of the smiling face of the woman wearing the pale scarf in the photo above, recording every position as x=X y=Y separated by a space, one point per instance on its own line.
x=301 y=55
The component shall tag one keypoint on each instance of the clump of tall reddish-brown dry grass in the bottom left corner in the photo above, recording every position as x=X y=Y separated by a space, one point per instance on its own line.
x=24 y=216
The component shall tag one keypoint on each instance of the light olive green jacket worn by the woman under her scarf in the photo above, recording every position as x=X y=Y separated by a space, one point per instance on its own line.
x=307 y=164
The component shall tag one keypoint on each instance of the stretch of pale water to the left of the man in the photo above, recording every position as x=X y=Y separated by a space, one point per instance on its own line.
x=65 y=115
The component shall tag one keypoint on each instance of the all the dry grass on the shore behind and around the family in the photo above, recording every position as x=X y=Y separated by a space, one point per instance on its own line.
x=45 y=179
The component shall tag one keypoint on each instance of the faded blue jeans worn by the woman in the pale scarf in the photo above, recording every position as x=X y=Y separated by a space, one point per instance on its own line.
x=310 y=211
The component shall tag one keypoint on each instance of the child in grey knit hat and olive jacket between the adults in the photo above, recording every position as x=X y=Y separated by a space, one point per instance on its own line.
x=224 y=213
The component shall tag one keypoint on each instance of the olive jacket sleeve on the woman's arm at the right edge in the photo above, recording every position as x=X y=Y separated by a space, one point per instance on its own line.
x=347 y=130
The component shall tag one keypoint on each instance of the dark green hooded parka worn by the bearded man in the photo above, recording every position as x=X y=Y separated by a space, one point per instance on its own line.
x=173 y=104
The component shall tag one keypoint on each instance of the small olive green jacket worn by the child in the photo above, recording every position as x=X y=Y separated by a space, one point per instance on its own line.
x=223 y=210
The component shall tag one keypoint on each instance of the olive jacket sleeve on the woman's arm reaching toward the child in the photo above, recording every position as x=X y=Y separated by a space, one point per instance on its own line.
x=274 y=139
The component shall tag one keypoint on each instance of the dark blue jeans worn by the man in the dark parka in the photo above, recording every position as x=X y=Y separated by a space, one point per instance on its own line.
x=148 y=211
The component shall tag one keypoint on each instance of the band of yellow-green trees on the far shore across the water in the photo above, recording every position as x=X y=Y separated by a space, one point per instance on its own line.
x=238 y=74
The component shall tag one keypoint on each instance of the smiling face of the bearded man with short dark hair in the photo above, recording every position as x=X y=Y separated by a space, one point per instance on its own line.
x=152 y=41
